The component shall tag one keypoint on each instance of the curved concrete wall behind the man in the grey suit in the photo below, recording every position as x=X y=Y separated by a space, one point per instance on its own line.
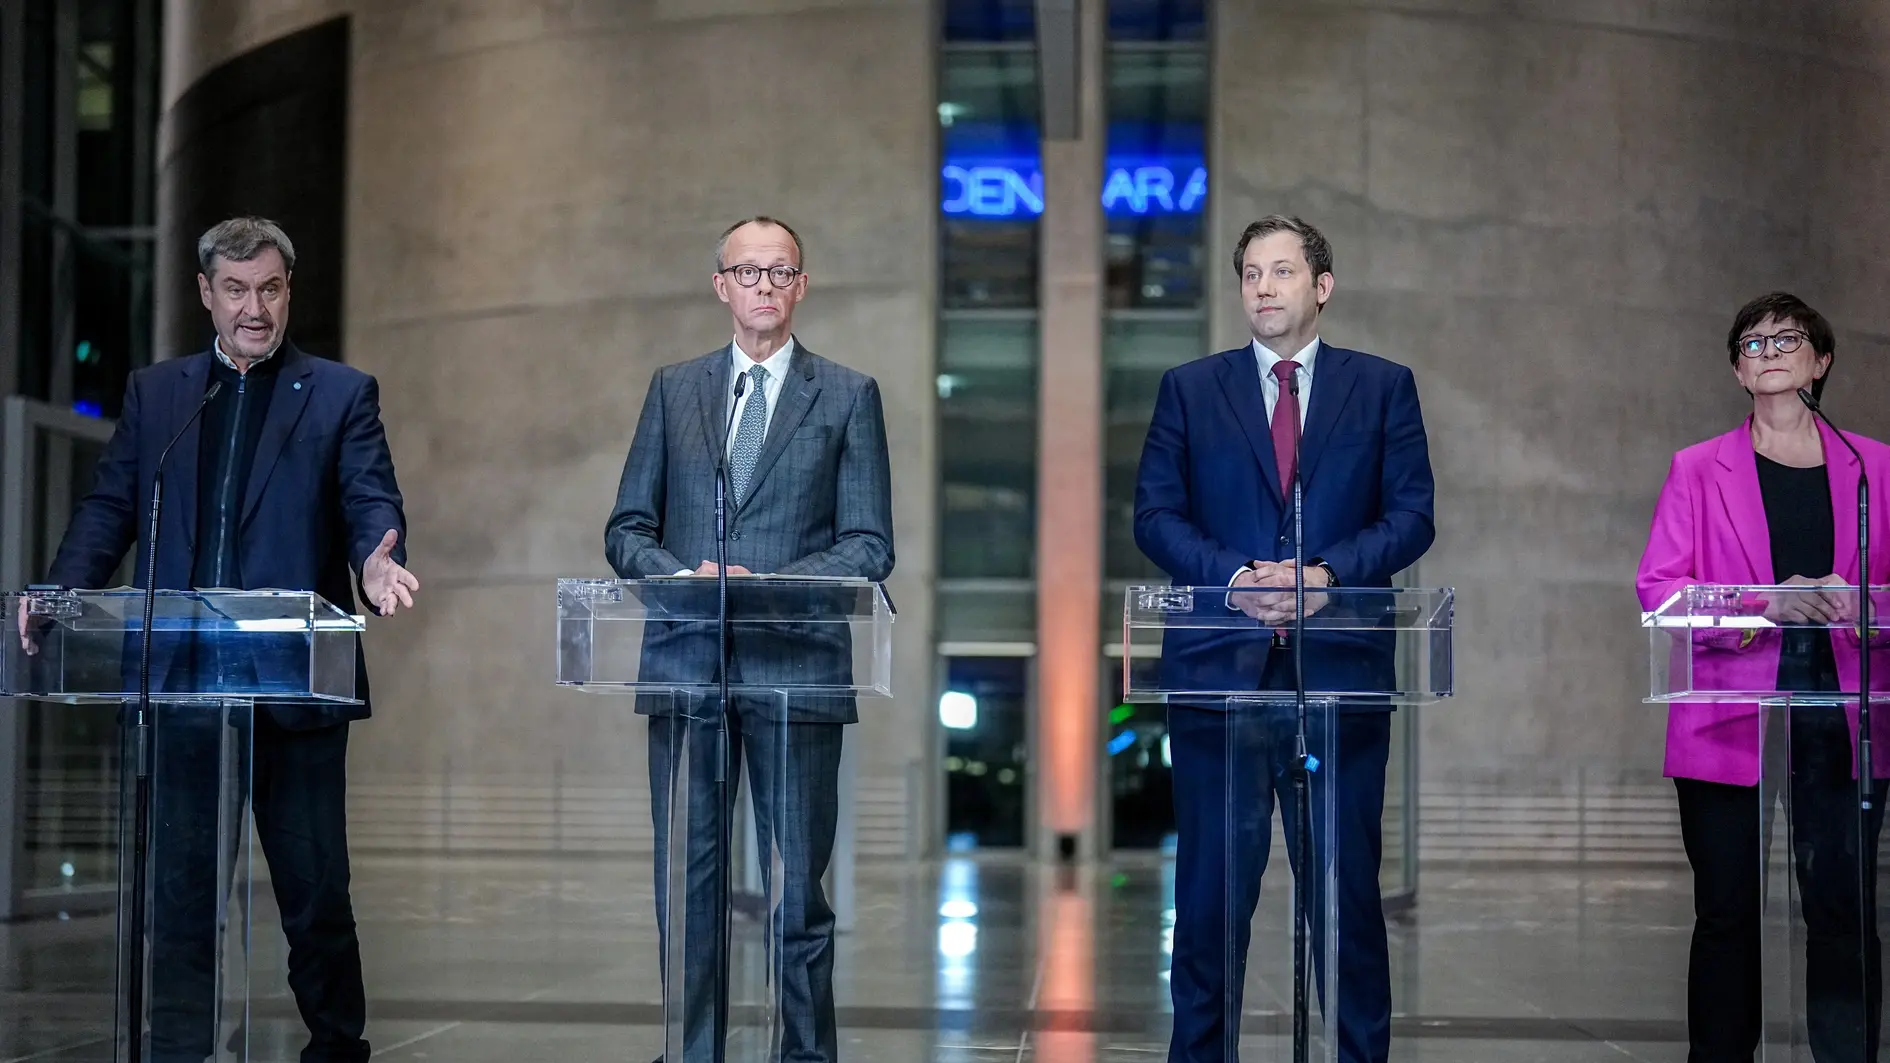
x=534 y=201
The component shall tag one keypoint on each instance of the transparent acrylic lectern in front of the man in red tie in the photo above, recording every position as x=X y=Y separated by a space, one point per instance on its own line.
x=1224 y=663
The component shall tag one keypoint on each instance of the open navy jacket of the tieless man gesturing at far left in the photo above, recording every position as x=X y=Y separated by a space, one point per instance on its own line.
x=318 y=502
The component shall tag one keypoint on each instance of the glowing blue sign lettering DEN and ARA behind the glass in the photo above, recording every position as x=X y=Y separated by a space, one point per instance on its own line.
x=1014 y=188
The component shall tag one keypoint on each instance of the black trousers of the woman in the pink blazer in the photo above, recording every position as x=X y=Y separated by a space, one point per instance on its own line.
x=1725 y=831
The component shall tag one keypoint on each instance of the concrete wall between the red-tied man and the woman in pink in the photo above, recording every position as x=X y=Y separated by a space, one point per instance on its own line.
x=1553 y=213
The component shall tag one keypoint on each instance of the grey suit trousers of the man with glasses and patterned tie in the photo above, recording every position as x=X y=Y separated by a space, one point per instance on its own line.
x=795 y=786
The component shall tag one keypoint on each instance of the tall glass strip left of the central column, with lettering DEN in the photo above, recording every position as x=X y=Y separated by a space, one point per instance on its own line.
x=991 y=205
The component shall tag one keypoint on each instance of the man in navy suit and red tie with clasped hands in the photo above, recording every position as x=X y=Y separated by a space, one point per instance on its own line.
x=1214 y=508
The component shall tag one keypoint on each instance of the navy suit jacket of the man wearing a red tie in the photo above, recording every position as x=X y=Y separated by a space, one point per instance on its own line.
x=1209 y=500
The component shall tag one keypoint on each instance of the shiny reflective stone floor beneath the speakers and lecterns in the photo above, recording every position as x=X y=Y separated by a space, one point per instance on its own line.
x=965 y=960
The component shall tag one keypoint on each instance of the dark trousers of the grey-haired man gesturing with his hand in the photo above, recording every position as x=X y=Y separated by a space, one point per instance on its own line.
x=296 y=784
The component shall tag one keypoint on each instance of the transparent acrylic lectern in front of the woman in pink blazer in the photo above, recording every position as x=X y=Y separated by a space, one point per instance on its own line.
x=1762 y=691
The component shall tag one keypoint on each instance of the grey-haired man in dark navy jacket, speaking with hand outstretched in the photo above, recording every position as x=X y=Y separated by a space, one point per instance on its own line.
x=284 y=481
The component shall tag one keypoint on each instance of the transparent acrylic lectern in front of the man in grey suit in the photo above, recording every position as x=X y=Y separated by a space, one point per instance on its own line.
x=738 y=971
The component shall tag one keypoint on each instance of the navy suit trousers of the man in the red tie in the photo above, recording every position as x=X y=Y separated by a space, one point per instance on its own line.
x=1229 y=771
